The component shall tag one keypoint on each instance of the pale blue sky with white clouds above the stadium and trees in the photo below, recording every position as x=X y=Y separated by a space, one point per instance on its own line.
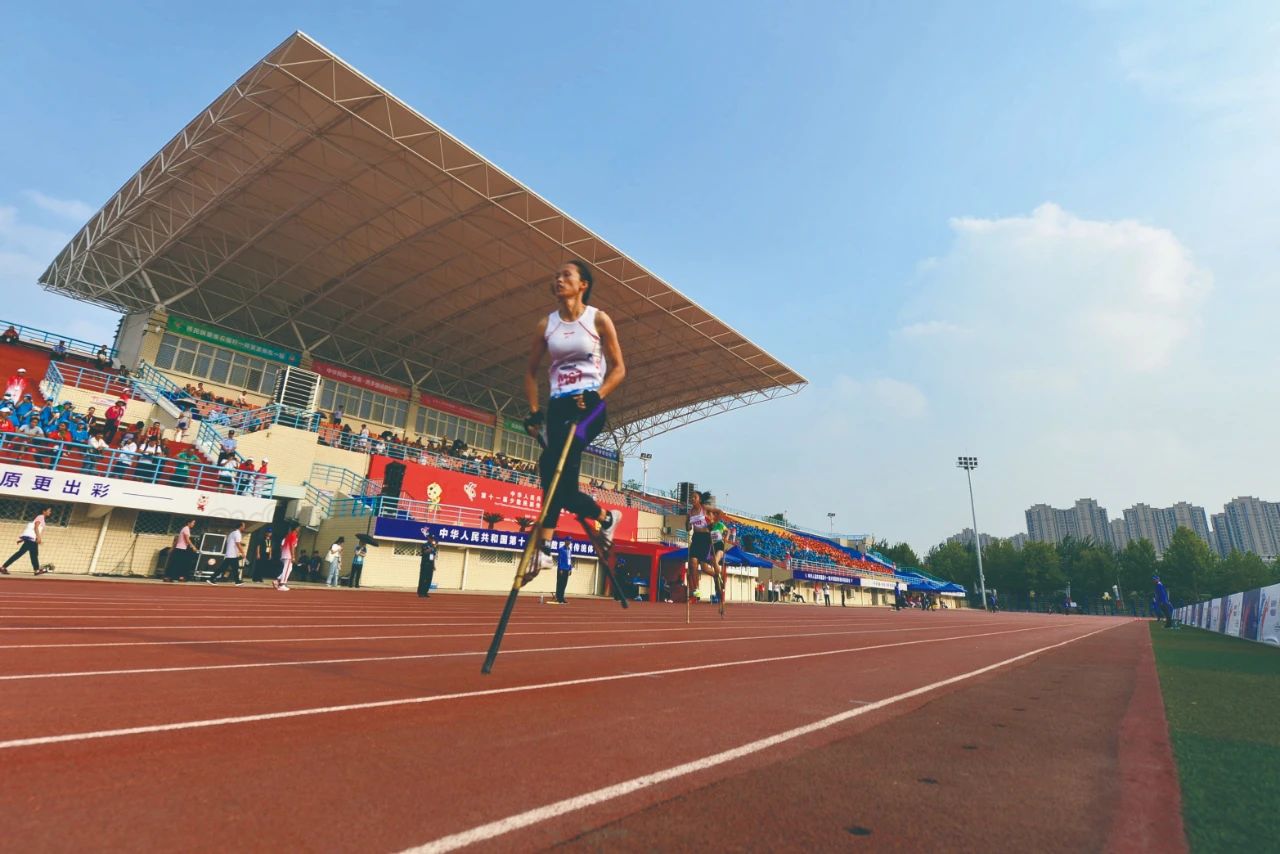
x=1039 y=234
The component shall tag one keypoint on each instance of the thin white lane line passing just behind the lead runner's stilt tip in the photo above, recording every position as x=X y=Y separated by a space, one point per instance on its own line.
x=185 y=669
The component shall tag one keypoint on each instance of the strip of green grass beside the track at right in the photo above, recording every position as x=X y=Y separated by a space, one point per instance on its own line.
x=1223 y=704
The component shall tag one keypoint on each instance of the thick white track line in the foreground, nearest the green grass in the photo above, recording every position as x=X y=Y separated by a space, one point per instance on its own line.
x=540 y=815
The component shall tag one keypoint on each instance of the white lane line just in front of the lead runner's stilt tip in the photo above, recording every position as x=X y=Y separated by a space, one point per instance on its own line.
x=460 y=696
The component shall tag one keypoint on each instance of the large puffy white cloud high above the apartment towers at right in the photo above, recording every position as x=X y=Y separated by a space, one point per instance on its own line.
x=1059 y=296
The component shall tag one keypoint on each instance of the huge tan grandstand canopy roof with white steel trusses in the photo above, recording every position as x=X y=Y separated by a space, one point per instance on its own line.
x=309 y=208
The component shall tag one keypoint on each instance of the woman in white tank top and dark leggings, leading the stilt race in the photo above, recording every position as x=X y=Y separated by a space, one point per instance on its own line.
x=586 y=368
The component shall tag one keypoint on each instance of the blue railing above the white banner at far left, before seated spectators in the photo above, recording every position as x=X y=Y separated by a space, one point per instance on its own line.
x=54 y=455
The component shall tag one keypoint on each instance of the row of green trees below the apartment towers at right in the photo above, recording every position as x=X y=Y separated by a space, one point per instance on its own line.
x=1190 y=569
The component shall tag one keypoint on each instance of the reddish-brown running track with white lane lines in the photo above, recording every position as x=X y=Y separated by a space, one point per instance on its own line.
x=199 y=719
